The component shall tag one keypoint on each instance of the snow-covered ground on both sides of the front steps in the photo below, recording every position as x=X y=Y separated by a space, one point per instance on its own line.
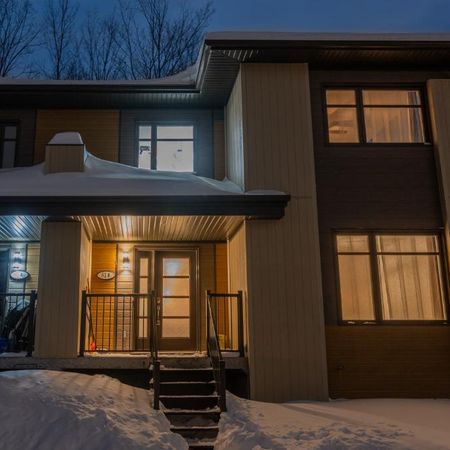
x=43 y=410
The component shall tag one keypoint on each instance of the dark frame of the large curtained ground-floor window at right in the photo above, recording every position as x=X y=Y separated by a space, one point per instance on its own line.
x=377 y=305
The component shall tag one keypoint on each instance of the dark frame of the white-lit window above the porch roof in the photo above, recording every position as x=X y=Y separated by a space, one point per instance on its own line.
x=154 y=124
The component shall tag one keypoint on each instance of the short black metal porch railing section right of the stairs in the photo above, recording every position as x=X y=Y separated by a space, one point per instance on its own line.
x=227 y=310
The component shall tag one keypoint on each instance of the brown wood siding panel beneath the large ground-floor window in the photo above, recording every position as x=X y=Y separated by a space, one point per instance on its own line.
x=389 y=361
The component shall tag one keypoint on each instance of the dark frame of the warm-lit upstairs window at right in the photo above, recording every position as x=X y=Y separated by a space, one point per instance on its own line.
x=358 y=88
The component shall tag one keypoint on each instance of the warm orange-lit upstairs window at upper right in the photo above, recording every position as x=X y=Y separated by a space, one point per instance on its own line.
x=375 y=116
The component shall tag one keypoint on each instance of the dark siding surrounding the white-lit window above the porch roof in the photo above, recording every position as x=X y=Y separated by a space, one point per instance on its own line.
x=201 y=119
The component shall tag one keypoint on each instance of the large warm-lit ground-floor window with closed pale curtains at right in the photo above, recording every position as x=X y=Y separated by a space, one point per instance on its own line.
x=391 y=277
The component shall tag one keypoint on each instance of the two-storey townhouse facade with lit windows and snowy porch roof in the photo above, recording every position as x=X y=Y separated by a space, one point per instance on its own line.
x=331 y=223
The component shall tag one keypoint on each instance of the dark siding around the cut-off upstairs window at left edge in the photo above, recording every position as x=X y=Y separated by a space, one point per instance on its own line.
x=25 y=144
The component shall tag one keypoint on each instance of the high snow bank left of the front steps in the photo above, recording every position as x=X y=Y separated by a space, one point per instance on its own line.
x=43 y=410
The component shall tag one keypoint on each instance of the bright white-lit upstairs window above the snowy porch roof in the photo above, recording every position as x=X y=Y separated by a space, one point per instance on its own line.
x=166 y=147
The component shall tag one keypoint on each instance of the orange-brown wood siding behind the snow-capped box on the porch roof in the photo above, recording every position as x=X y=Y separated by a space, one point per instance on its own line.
x=98 y=128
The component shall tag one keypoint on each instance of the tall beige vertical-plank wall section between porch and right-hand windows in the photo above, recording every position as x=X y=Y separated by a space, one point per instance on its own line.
x=269 y=144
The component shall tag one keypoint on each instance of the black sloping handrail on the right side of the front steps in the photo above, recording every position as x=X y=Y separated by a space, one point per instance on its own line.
x=214 y=353
